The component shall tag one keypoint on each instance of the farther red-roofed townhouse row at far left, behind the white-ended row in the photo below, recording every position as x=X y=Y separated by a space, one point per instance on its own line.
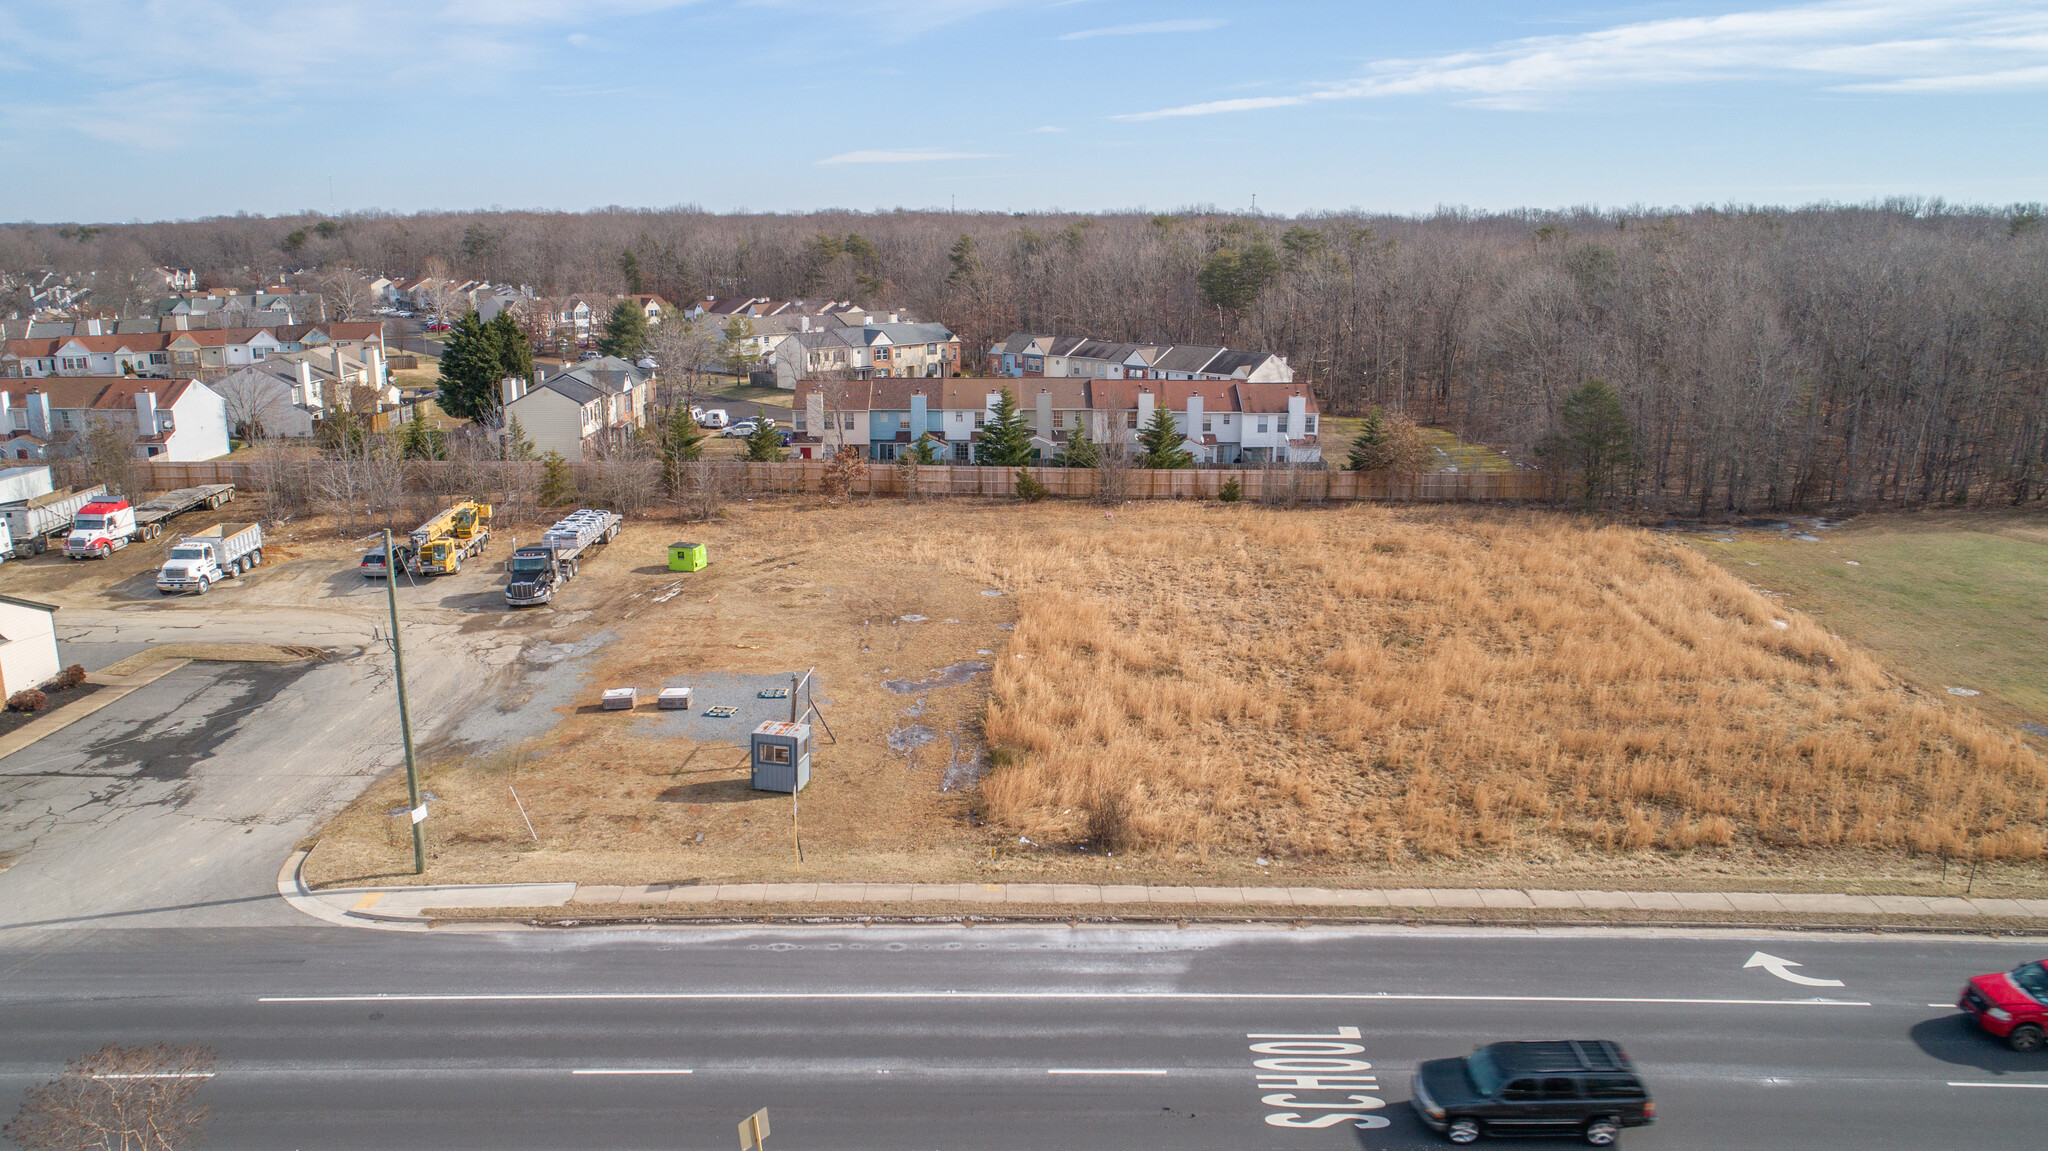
x=103 y=349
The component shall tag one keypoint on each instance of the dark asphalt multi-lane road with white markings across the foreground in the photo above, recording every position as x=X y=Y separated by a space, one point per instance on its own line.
x=1005 y=1039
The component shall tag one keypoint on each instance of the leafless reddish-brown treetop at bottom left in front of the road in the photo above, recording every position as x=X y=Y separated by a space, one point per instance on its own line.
x=120 y=1099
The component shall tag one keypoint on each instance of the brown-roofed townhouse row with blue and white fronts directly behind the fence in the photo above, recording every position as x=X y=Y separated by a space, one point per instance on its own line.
x=1224 y=421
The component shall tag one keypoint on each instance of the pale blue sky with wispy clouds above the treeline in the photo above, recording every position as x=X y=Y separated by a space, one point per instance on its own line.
x=124 y=110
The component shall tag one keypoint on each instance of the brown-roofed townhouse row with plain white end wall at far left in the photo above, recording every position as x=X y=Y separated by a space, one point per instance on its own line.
x=175 y=421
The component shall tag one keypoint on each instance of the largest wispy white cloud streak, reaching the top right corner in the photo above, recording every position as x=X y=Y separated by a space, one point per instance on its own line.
x=1857 y=46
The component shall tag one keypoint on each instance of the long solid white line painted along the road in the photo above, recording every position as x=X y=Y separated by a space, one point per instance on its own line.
x=927 y=996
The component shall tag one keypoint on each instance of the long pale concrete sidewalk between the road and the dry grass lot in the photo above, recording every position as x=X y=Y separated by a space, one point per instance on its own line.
x=407 y=906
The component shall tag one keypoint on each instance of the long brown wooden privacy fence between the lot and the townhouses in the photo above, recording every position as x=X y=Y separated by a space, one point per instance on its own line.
x=1256 y=486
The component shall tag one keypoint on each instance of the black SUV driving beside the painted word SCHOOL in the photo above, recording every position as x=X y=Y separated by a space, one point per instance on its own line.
x=1580 y=1086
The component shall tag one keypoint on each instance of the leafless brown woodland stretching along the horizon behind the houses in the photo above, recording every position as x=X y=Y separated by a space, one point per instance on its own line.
x=1766 y=357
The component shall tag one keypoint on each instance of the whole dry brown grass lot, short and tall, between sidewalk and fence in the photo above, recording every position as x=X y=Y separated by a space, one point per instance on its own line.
x=1336 y=695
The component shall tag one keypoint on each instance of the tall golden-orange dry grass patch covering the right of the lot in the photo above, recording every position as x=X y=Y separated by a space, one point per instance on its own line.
x=1381 y=685
